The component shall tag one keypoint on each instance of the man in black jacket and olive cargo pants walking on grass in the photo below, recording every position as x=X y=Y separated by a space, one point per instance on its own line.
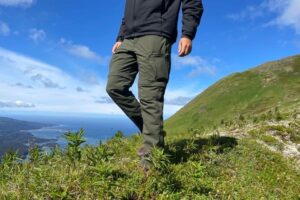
x=143 y=45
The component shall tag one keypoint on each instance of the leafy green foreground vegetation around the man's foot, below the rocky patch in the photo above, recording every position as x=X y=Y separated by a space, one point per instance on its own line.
x=212 y=167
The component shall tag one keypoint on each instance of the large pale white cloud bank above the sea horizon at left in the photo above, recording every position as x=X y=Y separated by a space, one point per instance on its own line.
x=47 y=87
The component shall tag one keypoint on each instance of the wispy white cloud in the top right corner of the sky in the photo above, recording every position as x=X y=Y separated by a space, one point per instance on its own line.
x=287 y=13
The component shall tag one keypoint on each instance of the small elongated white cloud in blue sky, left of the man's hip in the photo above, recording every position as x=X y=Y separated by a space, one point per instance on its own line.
x=83 y=51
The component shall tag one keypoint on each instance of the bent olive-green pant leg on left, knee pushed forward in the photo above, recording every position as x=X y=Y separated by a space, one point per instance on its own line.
x=122 y=72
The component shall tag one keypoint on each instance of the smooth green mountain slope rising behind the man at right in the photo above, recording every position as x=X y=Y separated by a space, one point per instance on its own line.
x=274 y=84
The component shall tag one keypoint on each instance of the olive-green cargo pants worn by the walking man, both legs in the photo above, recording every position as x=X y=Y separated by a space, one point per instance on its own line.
x=149 y=56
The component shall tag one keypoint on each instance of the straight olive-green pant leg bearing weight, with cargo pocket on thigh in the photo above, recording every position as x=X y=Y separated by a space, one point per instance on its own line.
x=154 y=61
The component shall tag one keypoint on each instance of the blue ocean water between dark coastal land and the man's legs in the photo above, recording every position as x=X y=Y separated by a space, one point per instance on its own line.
x=96 y=128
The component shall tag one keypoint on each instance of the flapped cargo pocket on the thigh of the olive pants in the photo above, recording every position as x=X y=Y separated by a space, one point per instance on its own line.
x=161 y=66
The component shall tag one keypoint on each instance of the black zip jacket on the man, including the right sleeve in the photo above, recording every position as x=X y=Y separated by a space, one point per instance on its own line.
x=160 y=17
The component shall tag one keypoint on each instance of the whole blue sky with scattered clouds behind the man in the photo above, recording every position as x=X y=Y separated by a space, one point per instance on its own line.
x=54 y=55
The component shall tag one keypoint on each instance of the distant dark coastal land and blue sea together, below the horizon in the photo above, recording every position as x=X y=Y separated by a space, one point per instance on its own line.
x=47 y=131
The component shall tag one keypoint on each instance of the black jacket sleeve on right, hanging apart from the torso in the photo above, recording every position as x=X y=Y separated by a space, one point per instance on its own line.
x=192 y=12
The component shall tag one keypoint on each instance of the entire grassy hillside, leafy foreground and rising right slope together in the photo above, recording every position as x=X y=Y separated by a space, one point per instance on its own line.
x=240 y=139
